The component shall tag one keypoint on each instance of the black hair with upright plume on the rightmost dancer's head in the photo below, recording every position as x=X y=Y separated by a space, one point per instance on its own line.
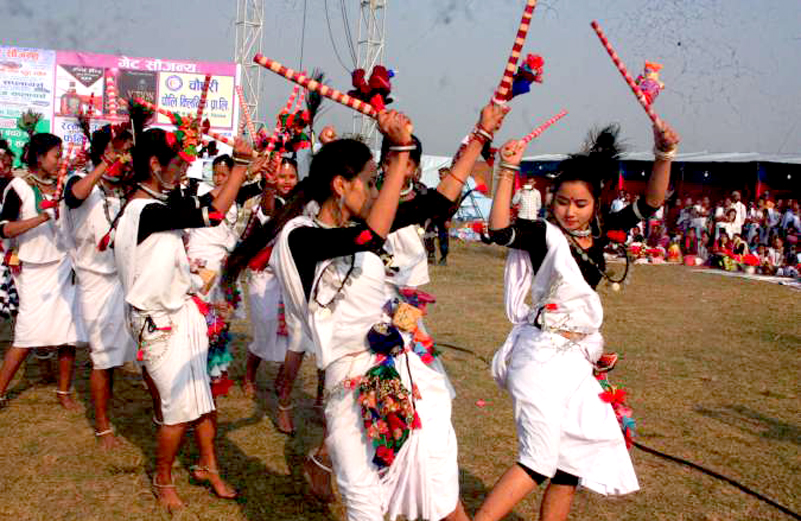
x=596 y=165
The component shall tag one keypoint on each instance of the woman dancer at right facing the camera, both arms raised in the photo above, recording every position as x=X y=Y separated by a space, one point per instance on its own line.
x=566 y=433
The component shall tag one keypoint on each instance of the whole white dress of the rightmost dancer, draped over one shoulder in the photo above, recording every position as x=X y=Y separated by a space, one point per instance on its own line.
x=561 y=421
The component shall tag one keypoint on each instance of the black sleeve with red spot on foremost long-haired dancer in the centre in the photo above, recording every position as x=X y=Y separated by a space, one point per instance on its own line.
x=310 y=245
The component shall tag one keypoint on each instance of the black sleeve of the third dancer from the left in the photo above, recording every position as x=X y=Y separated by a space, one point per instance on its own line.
x=179 y=212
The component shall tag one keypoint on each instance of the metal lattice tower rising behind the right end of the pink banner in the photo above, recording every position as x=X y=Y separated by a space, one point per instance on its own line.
x=248 y=23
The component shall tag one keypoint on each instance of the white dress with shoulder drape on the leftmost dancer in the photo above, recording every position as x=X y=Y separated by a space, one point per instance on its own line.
x=48 y=306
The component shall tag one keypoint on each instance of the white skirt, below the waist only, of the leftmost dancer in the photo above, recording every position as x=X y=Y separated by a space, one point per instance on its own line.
x=48 y=306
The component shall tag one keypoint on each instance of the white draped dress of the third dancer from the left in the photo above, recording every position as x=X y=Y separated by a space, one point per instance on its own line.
x=164 y=320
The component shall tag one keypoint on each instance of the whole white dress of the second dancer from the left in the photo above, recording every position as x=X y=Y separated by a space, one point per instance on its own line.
x=100 y=295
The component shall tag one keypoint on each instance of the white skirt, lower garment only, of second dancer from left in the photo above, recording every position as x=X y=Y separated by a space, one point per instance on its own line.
x=102 y=305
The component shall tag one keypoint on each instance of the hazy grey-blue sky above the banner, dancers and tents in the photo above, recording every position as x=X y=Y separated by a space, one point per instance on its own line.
x=731 y=67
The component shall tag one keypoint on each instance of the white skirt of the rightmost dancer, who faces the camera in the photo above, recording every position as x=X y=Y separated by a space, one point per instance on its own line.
x=562 y=423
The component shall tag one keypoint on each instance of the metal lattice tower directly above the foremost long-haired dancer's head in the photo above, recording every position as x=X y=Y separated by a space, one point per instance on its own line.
x=371 y=43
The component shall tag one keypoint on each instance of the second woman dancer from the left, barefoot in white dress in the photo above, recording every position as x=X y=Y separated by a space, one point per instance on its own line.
x=91 y=203
